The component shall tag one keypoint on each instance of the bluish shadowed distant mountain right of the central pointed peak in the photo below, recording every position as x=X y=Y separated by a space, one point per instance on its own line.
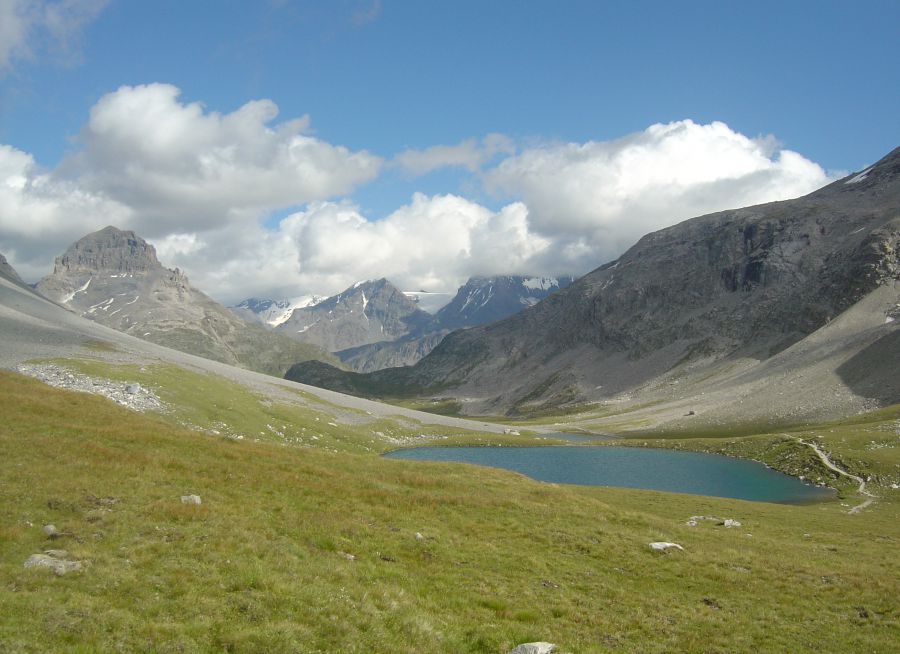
x=479 y=301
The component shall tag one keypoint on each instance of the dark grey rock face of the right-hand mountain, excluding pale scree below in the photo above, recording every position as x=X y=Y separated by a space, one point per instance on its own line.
x=735 y=286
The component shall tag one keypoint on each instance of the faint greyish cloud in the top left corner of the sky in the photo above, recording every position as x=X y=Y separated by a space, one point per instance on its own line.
x=30 y=27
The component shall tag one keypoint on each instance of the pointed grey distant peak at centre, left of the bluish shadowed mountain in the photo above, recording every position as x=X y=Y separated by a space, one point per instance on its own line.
x=367 y=312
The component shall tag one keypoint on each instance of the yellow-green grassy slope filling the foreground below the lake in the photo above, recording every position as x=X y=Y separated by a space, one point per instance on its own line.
x=259 y=566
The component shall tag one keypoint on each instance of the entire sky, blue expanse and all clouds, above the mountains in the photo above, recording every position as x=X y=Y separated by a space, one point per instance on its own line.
x=281 y=148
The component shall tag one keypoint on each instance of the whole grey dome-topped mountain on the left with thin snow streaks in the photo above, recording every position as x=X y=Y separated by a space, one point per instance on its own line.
x=113 y=277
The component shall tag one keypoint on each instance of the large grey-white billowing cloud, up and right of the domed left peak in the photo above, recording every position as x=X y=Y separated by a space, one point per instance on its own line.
x=182 y=167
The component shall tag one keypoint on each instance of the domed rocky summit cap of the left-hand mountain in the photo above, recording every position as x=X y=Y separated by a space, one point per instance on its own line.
x=109 y=250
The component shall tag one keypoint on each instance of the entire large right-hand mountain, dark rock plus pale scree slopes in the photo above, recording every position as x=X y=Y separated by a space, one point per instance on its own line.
x=784 y=309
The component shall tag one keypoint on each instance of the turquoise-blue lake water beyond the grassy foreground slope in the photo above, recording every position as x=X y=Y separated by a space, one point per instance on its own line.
x=634 y=467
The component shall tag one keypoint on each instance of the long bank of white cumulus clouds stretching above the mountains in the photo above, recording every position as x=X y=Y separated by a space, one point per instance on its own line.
x=200 y=186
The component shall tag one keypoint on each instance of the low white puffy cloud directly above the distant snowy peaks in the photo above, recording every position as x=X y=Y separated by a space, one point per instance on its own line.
x=432 y=243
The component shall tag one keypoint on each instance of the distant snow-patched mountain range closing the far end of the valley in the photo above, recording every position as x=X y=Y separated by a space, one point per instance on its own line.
x=373 y=325
